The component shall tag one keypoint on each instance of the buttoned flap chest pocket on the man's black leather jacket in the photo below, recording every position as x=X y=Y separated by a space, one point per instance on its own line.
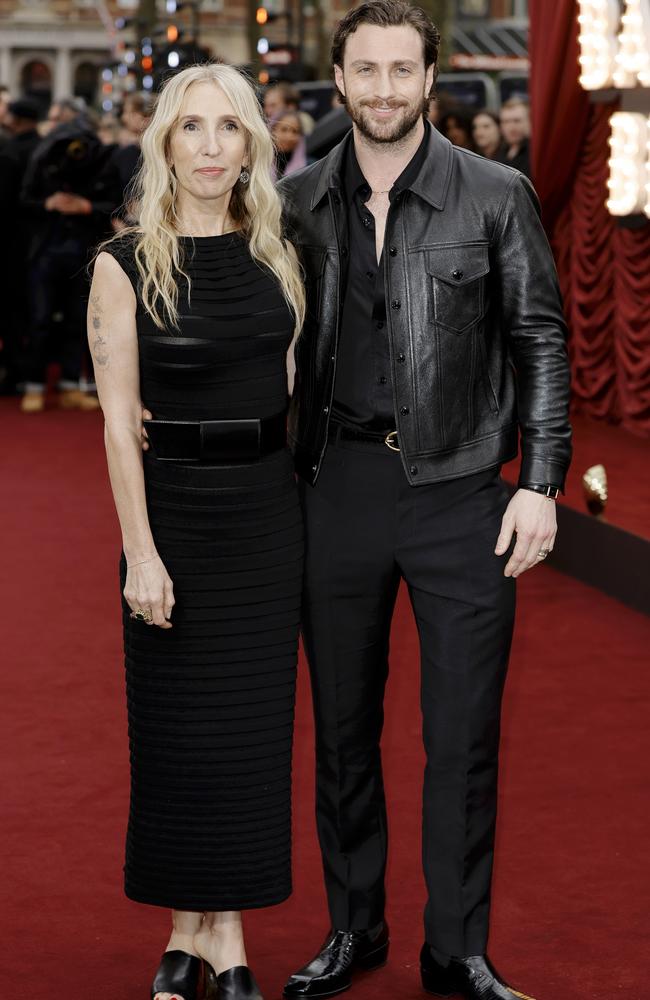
x=457 y=276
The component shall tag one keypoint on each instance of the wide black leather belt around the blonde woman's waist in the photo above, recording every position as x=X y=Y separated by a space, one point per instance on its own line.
x=216 y=440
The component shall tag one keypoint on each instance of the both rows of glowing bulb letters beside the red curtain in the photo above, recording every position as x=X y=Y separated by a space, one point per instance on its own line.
x=615 y=52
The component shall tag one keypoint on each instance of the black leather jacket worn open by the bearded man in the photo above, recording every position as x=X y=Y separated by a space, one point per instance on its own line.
x=477 y=335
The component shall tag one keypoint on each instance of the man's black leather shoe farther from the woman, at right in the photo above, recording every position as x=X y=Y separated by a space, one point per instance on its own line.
x=471 y=978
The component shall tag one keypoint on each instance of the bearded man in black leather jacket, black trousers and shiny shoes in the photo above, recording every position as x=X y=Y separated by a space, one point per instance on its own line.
x=434 y=339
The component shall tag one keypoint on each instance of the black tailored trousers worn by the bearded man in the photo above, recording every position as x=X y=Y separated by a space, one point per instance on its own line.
x=366 y=529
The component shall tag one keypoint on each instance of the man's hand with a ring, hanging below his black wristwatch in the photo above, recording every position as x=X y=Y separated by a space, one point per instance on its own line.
x=532 y=517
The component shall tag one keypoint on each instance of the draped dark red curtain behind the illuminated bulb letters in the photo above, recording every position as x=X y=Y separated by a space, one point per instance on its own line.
x=604 y=269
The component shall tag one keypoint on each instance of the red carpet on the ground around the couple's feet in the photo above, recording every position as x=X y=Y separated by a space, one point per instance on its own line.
x=572 y=892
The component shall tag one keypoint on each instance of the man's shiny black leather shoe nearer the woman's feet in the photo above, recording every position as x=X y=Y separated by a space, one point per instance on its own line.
x=343 y=954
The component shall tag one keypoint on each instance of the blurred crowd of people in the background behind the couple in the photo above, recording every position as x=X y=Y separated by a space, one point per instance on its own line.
x=64 y=186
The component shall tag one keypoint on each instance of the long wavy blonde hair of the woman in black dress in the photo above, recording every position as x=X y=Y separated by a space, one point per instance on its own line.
x=255 y=207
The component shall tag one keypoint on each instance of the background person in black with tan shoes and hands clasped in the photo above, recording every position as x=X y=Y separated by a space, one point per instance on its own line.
x=69 y=192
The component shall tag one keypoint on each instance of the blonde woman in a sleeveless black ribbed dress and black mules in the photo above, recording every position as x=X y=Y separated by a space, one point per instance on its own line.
x=193 y=315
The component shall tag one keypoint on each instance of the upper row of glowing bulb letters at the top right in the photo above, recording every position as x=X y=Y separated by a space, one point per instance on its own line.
x=613 y=54
